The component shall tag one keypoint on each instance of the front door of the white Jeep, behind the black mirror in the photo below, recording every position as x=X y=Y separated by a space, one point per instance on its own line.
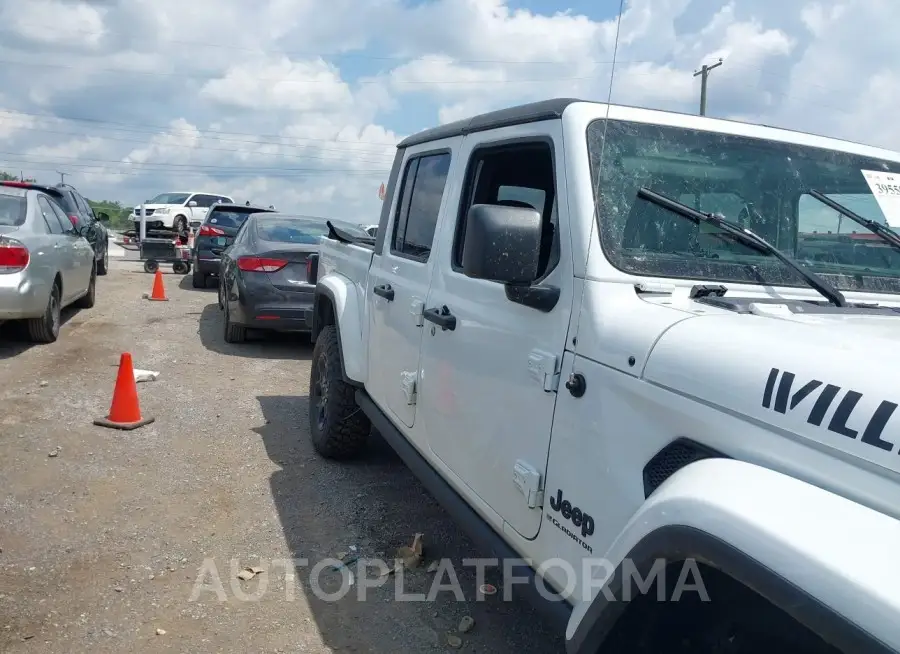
x=488 y=384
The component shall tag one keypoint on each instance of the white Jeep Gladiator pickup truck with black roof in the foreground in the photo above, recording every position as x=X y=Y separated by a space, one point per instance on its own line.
x=608 y=334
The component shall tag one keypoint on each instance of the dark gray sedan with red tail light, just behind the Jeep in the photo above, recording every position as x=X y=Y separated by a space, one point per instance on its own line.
x=264 y=280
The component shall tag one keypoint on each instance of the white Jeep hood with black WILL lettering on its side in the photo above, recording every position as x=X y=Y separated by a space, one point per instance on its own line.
x=826 y=378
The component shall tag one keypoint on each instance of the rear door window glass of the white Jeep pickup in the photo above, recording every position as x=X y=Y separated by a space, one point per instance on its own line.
x=419 y=205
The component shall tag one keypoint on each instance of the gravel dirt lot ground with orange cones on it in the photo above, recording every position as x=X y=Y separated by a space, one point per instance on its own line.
x=102 y=544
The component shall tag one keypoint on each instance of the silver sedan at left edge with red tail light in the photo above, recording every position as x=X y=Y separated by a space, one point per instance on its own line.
x=45 y=265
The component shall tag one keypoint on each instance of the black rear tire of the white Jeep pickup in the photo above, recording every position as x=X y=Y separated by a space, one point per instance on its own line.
x=338 y=427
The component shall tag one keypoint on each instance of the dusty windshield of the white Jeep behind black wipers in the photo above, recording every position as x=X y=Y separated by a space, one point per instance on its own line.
x=755 y=183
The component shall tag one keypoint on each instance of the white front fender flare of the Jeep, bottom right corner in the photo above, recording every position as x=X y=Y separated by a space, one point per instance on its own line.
x=827 y=561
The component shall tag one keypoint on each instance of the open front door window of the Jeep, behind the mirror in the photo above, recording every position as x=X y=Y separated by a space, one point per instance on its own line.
x=517 y=176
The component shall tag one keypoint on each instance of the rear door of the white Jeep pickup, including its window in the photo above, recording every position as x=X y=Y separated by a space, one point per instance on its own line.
x=399 y=279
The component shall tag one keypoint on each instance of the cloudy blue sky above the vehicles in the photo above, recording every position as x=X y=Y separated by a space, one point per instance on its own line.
x=299 y=104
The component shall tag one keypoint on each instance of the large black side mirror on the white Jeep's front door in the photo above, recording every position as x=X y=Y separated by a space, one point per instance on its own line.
x=502 y=244
